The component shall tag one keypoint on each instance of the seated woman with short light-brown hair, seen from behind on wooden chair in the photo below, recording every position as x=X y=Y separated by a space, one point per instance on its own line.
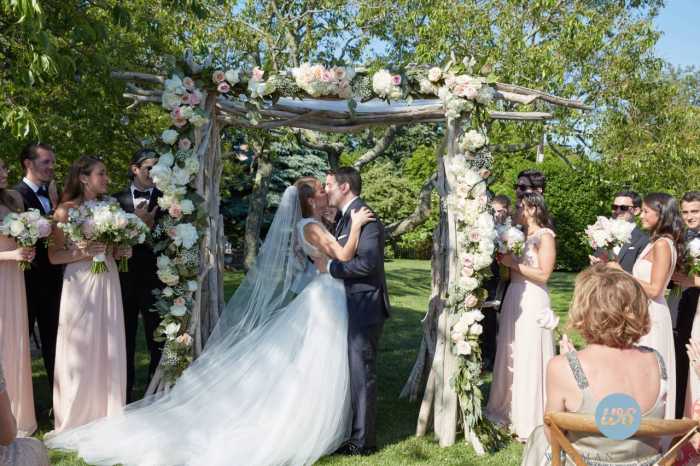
x=610 y=311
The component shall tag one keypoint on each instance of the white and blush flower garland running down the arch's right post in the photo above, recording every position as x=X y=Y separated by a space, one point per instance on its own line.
x=476 y=243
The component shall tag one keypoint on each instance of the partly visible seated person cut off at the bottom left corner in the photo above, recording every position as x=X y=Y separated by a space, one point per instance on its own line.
x=17 y=451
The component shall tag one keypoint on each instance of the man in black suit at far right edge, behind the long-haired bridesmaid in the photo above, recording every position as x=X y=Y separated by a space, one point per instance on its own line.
x=690 y=210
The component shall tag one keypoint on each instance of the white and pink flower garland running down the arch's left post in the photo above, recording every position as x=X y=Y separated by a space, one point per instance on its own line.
x=178 y=231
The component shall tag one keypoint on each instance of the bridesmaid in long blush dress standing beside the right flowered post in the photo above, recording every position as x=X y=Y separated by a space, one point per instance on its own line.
x=525 y=342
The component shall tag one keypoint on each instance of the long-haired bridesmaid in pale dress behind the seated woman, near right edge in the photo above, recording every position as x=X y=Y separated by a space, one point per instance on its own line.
x=653 y=269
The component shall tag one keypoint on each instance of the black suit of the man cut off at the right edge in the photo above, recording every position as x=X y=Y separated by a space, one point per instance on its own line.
x=684 y=325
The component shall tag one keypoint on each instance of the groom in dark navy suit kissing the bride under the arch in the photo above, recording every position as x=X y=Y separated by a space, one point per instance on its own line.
x=368 y=306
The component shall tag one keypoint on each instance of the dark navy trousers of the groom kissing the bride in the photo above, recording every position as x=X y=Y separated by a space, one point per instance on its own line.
x=362 y=353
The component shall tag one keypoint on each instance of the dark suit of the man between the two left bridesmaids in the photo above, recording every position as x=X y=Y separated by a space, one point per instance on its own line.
x=43 y=283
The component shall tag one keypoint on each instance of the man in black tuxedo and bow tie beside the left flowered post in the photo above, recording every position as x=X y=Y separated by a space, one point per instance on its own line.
x=141 y=198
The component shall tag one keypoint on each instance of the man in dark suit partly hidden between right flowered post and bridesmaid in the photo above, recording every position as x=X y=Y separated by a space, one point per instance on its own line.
x=496 y=287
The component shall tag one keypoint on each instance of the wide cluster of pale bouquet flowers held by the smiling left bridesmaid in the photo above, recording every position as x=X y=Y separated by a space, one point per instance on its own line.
x=103 y=222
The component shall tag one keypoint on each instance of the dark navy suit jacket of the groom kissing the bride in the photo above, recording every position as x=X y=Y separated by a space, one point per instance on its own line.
x=363 y=275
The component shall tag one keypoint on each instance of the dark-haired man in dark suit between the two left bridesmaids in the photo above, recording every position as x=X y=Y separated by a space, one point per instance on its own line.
x=44 y=281
